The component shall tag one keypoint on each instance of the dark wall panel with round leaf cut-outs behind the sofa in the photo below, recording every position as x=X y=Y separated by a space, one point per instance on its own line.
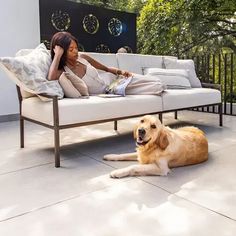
x=97 y=29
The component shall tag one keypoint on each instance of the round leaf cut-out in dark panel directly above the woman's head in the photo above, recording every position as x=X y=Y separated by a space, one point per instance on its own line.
x=60 y=20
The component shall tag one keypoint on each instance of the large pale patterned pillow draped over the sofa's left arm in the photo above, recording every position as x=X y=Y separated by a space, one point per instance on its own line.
x=31 y=71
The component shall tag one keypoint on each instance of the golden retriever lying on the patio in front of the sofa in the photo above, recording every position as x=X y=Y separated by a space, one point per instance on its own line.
x=160 y=148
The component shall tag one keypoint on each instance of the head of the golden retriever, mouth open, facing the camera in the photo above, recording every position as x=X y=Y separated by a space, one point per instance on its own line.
x=149 y=131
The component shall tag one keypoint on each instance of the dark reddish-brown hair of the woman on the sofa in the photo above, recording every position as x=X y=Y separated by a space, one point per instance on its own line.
x=62 y=39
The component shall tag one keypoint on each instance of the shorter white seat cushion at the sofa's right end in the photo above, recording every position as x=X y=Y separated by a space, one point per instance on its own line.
x=181 y=98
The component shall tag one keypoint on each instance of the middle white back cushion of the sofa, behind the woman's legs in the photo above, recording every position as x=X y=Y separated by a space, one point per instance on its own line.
x=136 y=63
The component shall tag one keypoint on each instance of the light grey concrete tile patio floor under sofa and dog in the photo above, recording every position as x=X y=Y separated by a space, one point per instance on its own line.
x=81 y=199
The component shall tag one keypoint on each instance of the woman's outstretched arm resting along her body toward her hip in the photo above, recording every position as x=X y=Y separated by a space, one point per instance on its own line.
x=100 y=66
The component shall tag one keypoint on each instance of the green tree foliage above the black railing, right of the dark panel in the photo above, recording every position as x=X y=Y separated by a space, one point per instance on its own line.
x=179 y=27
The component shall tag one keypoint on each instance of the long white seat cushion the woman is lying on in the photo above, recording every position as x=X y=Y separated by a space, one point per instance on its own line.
x=93 y=109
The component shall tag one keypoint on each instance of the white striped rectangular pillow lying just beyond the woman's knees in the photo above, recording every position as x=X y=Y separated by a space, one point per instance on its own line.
x=172 y=78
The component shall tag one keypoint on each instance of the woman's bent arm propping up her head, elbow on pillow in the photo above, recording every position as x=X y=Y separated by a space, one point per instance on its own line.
x=54 y=73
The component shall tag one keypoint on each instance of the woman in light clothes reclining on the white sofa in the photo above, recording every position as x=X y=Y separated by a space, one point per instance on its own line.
x=65 y=57
